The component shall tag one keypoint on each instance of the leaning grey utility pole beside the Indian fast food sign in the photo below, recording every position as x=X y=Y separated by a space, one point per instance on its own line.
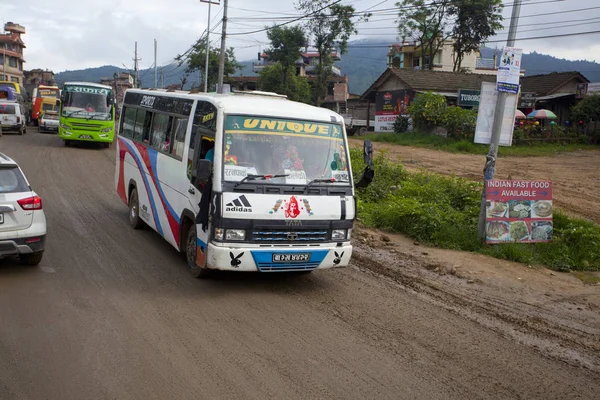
x=490 y=164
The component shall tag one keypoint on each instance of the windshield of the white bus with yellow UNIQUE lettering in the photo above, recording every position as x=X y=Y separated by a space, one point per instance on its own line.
x=304 y=151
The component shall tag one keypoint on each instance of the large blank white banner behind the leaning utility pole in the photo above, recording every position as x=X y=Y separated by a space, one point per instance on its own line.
x=486 y=112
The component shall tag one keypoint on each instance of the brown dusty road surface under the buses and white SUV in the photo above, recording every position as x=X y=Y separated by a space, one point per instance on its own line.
x=113 y=313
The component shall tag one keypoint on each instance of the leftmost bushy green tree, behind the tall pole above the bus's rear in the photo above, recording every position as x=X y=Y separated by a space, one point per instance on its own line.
x=195 y=61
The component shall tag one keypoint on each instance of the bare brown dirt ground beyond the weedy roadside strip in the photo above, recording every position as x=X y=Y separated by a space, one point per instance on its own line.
x=574 y=176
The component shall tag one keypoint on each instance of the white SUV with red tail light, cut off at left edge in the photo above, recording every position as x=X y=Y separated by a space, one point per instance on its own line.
x=22 y=220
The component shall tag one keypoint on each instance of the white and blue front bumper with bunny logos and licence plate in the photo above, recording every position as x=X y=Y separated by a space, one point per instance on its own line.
x=280 y=259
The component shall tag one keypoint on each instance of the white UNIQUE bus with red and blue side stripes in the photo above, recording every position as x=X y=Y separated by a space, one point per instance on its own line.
x=239 y=181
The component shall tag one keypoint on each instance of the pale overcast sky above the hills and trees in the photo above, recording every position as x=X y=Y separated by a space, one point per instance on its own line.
x=70 y=34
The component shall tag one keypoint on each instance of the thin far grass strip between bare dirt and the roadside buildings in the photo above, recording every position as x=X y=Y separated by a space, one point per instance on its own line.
x=468 y=147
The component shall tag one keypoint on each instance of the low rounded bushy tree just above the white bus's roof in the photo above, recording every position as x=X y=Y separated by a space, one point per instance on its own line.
x=296 y=87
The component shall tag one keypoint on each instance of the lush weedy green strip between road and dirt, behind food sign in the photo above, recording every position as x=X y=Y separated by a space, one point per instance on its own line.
x=443 y=211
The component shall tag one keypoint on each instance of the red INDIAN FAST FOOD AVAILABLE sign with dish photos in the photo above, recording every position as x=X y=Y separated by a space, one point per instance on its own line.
x=518 y=211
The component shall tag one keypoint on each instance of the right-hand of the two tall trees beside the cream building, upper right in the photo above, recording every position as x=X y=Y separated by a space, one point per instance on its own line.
x=476 y=21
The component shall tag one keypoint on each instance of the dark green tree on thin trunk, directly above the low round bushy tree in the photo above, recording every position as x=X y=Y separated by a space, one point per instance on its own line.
x=286 y=47
